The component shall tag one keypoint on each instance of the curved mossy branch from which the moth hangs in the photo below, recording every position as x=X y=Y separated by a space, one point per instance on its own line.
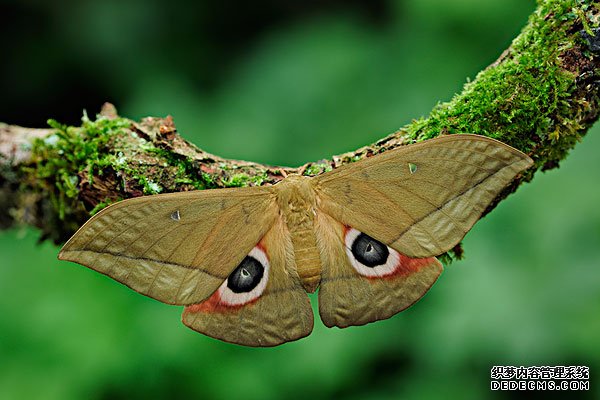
x=540 y=96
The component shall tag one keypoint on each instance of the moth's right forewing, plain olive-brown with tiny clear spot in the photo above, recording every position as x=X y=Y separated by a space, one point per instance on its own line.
x=423 y=198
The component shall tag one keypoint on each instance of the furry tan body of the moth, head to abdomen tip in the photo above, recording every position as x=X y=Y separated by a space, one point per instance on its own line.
x=297 y=201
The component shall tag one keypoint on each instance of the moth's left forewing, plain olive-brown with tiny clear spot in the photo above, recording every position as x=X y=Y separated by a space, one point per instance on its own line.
x=177 y=247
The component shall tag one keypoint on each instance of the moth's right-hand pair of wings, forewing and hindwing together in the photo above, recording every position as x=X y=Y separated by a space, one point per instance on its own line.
x=381 y=221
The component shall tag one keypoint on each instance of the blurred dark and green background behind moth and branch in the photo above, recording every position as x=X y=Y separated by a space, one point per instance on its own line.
x=286 y=83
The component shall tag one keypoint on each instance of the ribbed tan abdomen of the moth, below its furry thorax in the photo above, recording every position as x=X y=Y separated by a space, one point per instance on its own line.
x=307 y=258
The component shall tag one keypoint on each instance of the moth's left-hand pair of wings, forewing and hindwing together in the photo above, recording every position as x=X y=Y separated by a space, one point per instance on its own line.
x=223 y=253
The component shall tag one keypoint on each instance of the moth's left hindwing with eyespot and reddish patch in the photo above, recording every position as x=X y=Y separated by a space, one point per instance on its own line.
x=274 y=311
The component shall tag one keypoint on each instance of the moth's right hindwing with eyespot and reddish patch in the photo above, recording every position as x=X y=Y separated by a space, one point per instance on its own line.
x=355 y=290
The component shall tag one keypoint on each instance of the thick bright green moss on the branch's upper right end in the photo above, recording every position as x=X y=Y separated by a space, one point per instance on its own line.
x=522 y=99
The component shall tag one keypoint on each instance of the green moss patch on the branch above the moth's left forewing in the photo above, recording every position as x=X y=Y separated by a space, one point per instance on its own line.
x=72 y=155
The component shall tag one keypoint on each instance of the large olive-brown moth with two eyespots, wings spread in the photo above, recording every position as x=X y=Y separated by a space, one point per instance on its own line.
x=242 y=260
